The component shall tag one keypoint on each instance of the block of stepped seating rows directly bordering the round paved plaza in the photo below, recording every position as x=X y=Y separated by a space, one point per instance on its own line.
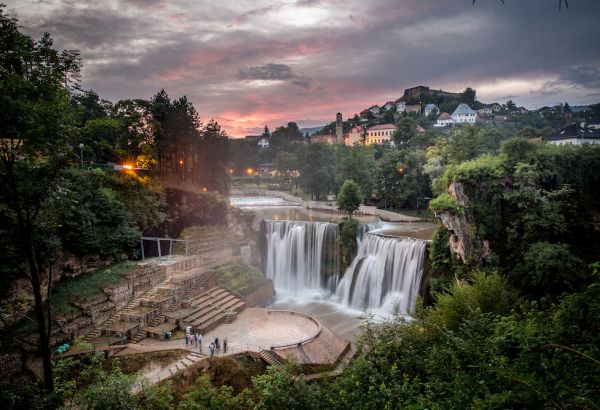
x=211 y=308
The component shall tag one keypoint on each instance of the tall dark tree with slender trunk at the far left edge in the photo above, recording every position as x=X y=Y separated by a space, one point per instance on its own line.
x=36 y=123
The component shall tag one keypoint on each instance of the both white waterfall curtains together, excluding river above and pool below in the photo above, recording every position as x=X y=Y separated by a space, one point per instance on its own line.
x=303 y=257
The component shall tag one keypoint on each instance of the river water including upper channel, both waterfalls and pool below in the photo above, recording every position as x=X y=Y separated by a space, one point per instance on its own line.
x=300 y=258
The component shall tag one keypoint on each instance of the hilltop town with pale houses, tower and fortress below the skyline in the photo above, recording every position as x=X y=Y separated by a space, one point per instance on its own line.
x=434 y=110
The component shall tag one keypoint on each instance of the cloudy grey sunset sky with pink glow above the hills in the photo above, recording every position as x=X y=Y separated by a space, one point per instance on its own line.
x=247 y=63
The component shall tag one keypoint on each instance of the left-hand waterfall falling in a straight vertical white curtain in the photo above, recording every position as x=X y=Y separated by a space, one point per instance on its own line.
x=301 y=255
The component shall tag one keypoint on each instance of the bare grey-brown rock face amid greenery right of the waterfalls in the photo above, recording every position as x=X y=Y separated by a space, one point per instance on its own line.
x=461 y=229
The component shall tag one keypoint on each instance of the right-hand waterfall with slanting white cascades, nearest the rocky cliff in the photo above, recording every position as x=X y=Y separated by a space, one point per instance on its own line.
x=384 y=276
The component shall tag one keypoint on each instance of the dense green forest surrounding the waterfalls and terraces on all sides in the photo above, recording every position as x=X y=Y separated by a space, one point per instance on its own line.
x=511 y=318
